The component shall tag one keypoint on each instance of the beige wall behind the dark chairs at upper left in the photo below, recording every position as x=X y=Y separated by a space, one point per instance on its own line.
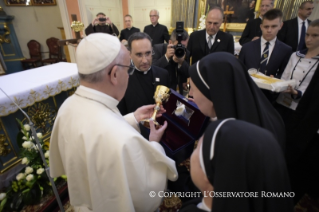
x=35 y=22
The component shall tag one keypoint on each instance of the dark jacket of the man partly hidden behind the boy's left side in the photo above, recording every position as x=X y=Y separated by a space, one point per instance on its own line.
x=251 y=30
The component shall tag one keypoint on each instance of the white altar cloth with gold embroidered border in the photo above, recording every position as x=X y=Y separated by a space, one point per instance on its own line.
x=35 y=85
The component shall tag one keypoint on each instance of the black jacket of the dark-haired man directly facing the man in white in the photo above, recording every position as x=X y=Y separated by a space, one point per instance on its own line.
x=135 y=96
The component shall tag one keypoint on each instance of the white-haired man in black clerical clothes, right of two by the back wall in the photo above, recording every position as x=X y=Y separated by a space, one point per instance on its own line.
x=156 y=31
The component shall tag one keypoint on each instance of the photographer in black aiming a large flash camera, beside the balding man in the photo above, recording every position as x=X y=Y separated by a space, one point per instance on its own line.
x=165 y=57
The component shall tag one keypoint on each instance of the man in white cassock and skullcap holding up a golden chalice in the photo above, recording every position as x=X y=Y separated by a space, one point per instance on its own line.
x=109 y=165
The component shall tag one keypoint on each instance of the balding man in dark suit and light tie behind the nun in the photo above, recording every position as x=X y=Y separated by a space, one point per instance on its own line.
x=209 y=40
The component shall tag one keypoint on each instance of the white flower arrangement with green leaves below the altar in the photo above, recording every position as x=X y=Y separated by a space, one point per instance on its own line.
x=31 y=183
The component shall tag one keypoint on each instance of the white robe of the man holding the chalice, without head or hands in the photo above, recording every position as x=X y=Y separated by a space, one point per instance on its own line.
x=109 y=165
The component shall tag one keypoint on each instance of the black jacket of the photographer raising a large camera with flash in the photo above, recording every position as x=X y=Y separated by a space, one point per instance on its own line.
x=177 y=76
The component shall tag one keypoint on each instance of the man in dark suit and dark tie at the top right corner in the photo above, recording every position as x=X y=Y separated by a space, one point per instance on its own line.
x=294 y=30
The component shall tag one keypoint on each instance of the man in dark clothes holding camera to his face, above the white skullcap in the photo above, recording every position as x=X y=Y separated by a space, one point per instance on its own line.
x=102 y=23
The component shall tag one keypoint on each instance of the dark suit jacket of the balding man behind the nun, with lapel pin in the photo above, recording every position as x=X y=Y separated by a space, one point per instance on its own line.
x=198 y=48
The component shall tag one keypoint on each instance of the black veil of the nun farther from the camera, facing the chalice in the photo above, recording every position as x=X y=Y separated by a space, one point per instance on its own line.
x=234 y=94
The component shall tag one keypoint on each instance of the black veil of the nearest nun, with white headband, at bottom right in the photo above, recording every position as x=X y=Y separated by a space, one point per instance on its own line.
x=246 y=158
